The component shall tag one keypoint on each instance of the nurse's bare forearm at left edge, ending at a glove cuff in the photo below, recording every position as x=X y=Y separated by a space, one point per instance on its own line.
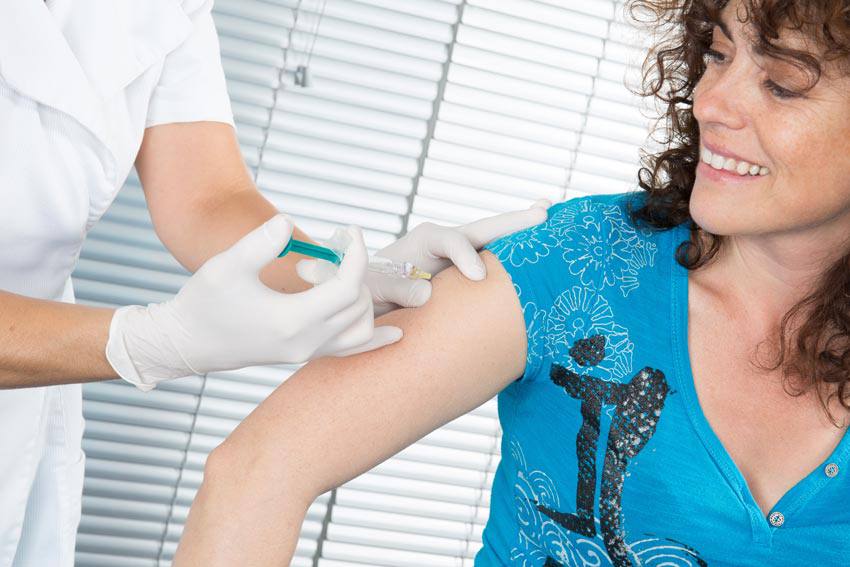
x=48 y=342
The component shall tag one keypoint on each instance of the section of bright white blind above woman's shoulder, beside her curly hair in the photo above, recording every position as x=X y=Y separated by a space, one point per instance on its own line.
x=536 y=105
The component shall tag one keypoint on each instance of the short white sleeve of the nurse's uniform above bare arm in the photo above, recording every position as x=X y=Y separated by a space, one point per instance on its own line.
x=191 y=87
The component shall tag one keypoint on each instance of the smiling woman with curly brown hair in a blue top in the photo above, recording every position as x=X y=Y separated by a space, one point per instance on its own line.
x=635 y=338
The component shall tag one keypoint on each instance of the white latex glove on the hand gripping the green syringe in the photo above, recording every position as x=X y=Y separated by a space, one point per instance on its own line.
x=224 y=317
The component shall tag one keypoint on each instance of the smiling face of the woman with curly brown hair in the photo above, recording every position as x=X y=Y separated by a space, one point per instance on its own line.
x=795 y=148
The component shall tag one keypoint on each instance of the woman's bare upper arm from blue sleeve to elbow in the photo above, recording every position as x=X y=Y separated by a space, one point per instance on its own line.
x=338 y=417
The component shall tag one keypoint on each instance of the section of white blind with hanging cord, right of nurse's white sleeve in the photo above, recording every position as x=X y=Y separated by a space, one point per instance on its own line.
x=346 y=149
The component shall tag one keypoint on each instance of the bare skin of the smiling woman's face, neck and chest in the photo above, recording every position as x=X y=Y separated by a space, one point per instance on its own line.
x=782 y=230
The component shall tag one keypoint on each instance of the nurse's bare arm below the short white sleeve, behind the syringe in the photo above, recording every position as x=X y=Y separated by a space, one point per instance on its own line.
x=202 y=198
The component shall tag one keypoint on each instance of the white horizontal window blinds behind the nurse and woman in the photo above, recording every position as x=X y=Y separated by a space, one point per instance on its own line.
x=417 y=110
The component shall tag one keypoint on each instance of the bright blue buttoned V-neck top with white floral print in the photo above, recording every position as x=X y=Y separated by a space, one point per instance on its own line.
x=607 y=458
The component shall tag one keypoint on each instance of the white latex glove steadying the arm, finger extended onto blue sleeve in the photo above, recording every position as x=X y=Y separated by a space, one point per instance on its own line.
x=433 y=248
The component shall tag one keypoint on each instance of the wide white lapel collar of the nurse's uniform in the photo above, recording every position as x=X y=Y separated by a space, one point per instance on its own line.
x=88 y=50
